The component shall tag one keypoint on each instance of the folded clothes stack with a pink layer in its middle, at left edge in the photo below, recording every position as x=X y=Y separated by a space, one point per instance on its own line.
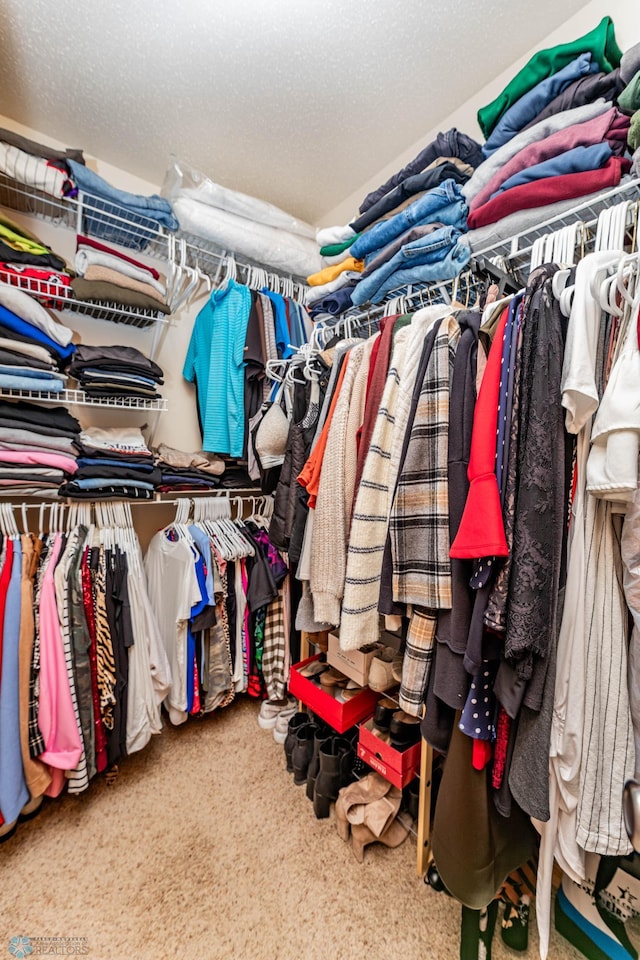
x=37 y=448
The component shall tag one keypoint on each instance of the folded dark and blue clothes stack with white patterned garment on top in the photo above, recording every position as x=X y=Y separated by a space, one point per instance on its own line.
x=113 y=462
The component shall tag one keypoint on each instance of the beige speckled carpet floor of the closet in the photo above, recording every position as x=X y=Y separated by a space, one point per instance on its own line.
x=204 y=848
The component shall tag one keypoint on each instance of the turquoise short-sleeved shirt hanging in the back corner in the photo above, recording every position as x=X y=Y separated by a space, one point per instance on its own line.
x=215 y=363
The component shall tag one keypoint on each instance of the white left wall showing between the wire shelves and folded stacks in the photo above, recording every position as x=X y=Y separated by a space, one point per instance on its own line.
x=179 y=425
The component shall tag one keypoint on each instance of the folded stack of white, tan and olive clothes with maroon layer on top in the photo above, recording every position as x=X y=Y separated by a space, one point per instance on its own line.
x=105 y=273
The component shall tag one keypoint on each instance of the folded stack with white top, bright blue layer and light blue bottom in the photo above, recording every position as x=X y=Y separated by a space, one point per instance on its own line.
x=34 y=348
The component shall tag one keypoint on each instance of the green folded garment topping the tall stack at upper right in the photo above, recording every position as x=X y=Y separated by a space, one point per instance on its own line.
x=600 y=42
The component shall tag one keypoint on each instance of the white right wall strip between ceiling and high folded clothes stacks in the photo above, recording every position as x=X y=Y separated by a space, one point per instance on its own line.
x=624 y=14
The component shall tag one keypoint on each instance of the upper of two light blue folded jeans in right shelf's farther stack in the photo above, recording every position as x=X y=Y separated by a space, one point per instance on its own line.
x=444 y=203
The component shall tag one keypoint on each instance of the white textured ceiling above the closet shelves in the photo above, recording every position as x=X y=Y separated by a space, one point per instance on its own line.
x=298 y=102
